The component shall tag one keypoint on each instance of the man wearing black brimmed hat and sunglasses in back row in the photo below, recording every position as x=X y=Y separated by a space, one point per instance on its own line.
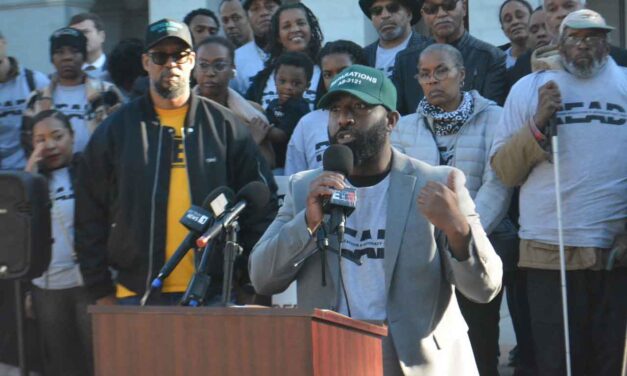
x=393 y=20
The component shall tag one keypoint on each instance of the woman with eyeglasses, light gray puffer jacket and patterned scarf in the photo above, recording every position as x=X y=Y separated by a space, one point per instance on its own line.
x=456 y=128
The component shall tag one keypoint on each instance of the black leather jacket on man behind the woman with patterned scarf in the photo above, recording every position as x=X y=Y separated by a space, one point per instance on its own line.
x=485 y=72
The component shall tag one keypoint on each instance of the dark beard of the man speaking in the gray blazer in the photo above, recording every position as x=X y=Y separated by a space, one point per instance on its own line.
x=366 y=145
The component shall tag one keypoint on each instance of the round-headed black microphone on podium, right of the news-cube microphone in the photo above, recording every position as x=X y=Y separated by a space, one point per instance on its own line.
x=253 y=197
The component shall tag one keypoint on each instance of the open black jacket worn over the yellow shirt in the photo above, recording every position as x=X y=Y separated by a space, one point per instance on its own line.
x=123 y=188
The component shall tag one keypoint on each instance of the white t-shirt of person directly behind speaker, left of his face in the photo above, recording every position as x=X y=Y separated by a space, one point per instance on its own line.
x=308 y=142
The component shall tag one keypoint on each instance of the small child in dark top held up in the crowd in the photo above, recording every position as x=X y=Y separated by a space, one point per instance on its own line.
x=292 y=77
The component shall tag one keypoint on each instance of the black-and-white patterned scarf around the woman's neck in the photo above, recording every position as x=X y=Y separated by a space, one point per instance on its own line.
x=448 y=123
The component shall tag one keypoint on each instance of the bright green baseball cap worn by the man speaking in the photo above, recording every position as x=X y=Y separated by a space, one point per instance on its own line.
x=366 y=83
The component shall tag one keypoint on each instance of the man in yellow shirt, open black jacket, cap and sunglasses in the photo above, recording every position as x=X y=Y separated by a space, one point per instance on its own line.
x=147 y=164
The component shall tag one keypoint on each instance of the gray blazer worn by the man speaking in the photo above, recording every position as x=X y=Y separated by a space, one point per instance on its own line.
x=426 y=326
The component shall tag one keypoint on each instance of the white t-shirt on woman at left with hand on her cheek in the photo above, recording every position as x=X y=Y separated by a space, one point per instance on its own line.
x=63 y=272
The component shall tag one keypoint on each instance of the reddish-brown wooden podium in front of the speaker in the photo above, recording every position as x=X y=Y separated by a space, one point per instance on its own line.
x=232 y=341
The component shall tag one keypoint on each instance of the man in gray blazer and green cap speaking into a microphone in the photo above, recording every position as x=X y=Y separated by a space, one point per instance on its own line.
x=394 y=267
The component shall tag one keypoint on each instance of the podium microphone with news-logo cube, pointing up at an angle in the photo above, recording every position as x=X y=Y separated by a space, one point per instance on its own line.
x=197 y=220
